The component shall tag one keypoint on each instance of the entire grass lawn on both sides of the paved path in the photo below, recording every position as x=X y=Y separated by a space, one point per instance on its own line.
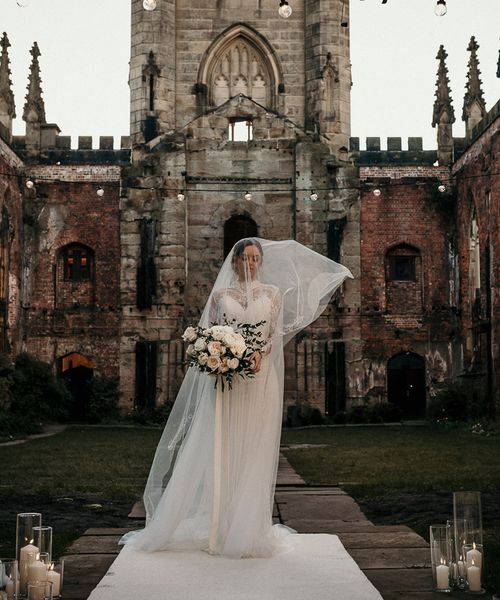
x=90 y=477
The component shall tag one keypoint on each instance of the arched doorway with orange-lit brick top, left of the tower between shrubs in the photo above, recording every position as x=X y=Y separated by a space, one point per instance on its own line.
x=77 y=371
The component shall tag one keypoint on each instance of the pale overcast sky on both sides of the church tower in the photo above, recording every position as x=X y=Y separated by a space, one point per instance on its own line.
x=85 y=47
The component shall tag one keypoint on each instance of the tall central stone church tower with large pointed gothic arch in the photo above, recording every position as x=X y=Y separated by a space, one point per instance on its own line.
x=240 y=125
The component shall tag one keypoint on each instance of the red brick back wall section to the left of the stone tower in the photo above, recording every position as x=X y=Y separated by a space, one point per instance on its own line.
x=64 y=315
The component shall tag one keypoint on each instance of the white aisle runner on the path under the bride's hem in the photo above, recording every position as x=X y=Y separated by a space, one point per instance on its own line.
x=317 y=567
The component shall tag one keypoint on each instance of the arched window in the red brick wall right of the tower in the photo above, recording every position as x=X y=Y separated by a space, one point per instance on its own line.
x=403 y=279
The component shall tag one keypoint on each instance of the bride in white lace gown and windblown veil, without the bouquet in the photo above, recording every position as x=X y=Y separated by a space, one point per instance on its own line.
x=211 y=485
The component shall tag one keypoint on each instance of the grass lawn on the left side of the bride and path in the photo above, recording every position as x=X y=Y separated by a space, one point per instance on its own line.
x=84 y=477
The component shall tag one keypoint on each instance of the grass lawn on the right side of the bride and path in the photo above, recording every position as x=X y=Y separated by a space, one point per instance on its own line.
x=407 y=475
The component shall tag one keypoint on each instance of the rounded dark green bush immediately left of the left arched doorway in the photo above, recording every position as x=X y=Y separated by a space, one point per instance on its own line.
x=35 y=392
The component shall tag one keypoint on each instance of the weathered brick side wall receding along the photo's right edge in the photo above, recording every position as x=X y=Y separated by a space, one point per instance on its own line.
x=477 y=185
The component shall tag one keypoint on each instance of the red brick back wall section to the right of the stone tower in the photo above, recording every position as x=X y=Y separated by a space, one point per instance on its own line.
x=407 y=312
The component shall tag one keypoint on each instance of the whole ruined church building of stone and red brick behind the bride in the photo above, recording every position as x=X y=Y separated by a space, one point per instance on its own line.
x=112 y=280
